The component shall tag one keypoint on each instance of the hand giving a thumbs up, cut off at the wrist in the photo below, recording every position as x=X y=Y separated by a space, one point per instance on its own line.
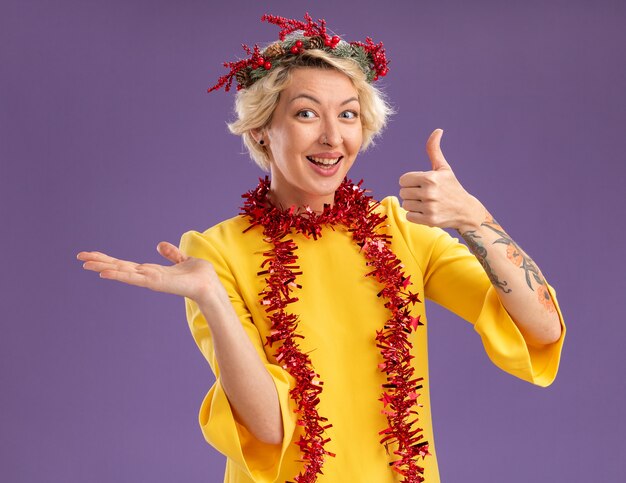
x=435 y=197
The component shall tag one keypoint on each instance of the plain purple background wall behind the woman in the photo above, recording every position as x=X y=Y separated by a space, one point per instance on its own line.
x=109 y=142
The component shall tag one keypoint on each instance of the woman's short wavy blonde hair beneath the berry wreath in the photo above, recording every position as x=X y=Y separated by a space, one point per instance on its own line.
x=255 y=105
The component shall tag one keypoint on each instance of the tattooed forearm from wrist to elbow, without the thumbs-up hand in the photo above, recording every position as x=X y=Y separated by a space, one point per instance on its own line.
x=518 y=281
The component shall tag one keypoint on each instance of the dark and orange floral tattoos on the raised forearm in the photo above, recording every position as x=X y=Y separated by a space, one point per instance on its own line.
x=516 y=255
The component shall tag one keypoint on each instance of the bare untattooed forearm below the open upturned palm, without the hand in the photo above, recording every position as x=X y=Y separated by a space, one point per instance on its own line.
x=243 y=376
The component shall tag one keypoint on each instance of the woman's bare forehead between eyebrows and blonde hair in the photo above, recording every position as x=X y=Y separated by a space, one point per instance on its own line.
x=323 y=84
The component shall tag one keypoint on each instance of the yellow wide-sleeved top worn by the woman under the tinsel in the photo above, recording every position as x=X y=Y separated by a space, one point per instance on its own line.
x=339 y=315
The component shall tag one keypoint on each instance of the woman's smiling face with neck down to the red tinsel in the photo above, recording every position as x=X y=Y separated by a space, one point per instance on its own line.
x=313 y=138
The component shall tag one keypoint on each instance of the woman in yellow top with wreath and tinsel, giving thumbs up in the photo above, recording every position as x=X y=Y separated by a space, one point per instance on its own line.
x=309 y=304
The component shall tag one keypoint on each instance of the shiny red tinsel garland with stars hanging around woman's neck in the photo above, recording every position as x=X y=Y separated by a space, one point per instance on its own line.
x=356 y=211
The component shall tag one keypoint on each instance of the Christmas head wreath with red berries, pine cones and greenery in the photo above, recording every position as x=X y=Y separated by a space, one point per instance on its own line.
x=296 y=37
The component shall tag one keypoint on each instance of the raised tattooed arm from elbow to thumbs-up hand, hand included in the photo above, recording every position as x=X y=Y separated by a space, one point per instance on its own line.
x=436 y=198
